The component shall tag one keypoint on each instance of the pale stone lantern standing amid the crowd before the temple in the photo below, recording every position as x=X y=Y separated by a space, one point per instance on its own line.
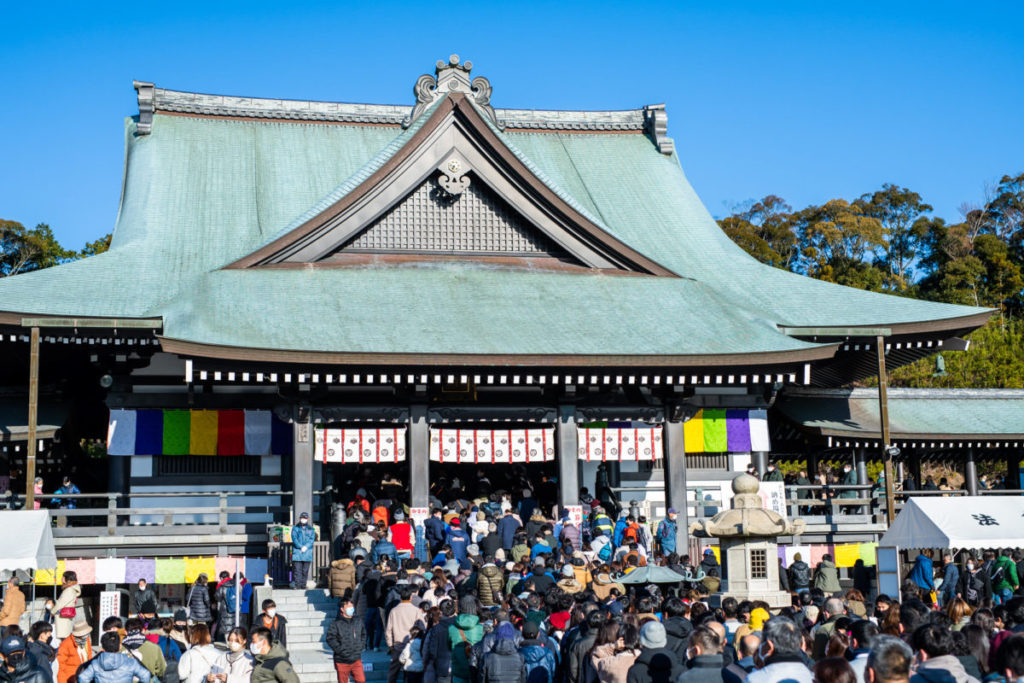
x=747 y=537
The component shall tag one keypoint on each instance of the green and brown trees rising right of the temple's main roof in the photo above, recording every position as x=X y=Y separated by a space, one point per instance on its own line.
x=888 y=241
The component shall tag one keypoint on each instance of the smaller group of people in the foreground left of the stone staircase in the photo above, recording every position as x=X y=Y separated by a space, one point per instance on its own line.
x=60 y=649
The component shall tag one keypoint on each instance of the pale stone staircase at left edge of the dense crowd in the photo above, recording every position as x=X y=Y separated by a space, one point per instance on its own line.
x=309 y=615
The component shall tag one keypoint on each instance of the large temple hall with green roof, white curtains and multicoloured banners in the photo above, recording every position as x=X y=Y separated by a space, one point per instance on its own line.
x=297 y=291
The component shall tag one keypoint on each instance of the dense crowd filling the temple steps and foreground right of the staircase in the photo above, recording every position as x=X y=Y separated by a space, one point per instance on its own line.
x=491 y=591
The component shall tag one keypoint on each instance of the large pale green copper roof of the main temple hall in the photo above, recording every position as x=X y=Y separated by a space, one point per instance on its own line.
x=202 y=193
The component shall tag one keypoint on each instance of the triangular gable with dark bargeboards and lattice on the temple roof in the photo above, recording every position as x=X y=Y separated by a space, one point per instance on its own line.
x=455 y=151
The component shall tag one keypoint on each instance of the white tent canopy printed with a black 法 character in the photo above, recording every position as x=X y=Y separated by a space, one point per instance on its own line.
x=963 y=523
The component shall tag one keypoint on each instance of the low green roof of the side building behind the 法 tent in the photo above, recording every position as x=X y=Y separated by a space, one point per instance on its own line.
x=913 y=413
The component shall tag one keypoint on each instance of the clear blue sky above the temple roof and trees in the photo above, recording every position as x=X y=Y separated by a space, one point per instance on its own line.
x=806 y=101
